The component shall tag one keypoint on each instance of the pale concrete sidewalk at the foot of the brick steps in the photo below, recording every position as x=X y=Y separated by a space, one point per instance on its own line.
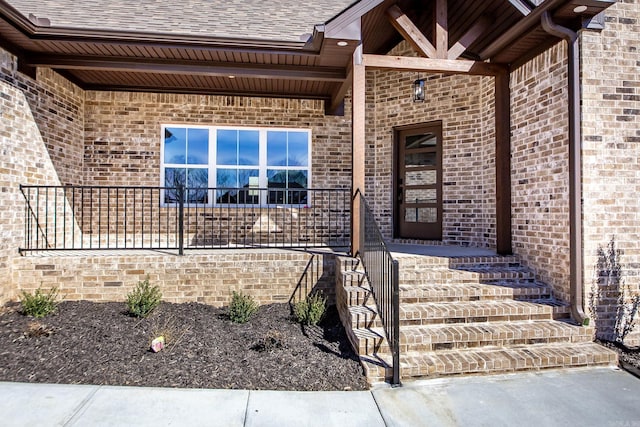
x=584 y=397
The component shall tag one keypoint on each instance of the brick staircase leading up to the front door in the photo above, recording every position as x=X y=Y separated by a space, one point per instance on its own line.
x=464 y=316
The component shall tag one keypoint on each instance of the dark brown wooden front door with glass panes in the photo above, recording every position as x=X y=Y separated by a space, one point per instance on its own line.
x=418 y=179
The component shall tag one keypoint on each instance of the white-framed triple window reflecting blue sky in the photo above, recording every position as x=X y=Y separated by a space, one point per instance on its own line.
x=221 y=165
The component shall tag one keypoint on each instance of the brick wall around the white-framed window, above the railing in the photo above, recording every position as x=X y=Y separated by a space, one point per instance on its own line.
x=122 y=132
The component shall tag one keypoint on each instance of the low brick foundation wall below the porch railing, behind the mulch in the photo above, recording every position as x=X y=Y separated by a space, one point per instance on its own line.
x=269 y=276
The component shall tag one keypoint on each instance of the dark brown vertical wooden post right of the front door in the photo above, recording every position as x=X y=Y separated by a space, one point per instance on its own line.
x=503 y=163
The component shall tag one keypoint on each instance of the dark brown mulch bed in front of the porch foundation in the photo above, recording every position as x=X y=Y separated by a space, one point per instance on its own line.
x=98 y=343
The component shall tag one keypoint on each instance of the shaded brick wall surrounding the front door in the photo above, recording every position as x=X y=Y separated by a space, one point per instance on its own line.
x=464 y=104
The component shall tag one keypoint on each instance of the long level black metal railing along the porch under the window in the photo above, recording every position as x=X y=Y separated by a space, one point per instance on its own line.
x=88 y=217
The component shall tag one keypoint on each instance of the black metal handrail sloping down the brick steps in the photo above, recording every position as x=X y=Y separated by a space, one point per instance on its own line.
x=383 y=275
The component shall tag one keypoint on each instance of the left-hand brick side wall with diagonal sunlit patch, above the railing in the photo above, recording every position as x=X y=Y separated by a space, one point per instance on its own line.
x=24 y=157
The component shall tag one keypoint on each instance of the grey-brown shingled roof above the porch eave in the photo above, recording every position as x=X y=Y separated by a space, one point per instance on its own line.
x=282 y=20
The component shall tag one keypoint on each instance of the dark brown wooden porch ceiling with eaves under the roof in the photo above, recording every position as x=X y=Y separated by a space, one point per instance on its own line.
x=501 y=31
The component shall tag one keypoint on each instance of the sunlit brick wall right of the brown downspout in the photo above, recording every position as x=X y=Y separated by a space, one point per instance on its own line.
x=611 y=173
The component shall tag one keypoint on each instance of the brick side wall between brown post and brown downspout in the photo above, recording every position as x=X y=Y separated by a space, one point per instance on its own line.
x=539 y=167
